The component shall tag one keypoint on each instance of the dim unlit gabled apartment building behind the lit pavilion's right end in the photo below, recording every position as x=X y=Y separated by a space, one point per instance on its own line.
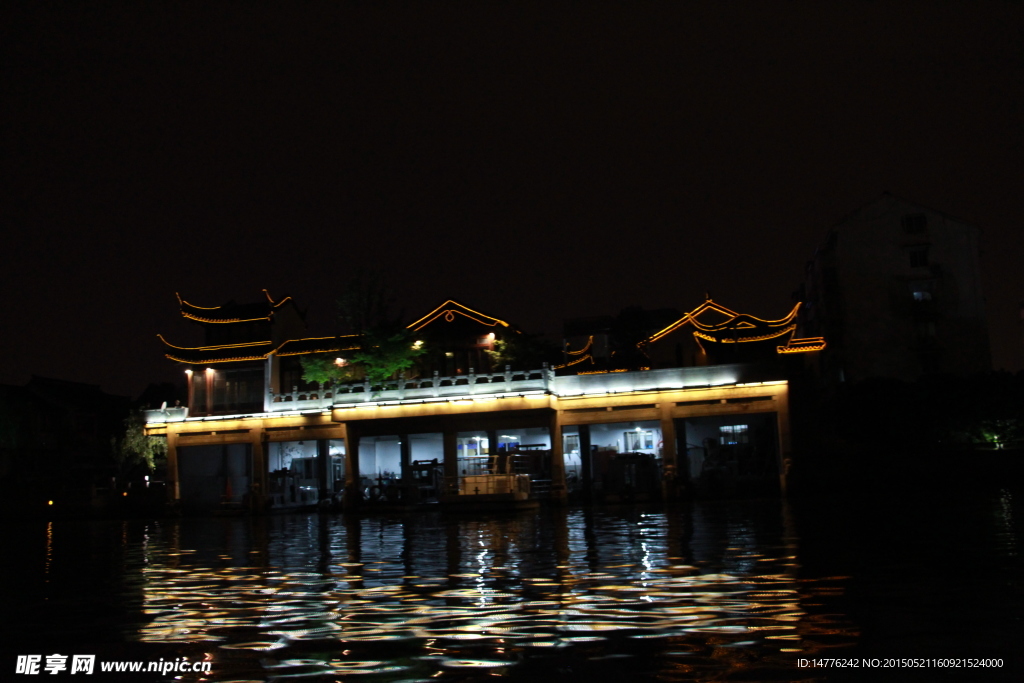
x=897 y=289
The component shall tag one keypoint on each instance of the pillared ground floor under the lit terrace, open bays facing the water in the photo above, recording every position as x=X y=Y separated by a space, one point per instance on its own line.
x=612 y=447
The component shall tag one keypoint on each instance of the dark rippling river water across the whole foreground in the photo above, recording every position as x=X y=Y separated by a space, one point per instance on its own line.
x=727 y=590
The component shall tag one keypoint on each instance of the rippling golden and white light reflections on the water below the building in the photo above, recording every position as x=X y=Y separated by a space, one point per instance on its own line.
x=687 y=594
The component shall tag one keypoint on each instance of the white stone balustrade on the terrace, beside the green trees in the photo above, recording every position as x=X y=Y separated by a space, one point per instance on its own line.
x=437 y=387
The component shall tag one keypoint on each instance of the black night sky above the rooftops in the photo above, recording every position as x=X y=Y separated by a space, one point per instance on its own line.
x=535 y=161
